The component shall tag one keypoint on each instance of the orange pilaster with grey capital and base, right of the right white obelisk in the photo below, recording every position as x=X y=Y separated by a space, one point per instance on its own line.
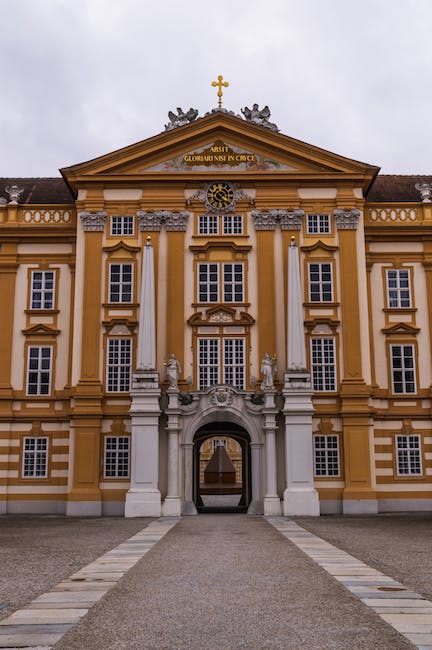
x=359 y=495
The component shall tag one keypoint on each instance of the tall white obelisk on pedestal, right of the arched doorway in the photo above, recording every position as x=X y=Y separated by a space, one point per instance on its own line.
x=300 y=496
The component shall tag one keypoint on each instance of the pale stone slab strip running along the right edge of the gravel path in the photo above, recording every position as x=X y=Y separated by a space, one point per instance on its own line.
x=406 y=611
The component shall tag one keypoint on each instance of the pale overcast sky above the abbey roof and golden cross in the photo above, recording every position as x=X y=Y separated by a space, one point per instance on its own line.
x=80 y=78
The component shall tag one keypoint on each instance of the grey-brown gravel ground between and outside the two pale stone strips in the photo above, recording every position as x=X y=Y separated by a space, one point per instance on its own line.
x=218 y=581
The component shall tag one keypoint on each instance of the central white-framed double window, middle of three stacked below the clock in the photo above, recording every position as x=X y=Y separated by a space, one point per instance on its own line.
x=209 y=285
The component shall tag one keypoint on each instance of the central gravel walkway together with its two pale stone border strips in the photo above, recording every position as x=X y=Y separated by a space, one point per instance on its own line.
x=226 y=582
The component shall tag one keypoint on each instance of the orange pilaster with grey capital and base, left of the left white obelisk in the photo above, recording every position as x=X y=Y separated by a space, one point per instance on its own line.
x=84 y=499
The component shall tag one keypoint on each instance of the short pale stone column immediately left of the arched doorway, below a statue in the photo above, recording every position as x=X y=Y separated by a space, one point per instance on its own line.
x=172 y=505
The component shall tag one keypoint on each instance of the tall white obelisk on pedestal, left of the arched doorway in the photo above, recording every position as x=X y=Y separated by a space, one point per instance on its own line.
x=143 y=498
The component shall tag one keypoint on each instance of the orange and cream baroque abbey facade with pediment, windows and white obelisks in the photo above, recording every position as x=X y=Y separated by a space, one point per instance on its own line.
x=218 y=280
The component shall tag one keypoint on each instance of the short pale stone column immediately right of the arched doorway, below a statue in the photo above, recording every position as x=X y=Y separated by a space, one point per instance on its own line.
x=272 y=503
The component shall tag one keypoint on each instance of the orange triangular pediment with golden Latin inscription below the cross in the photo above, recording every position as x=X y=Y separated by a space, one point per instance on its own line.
x=218 y=143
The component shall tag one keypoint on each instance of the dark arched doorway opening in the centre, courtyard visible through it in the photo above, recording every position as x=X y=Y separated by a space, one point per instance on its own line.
x=222 y=490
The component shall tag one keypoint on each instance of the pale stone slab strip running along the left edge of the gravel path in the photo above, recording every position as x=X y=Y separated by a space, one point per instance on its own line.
x=39 y=625
